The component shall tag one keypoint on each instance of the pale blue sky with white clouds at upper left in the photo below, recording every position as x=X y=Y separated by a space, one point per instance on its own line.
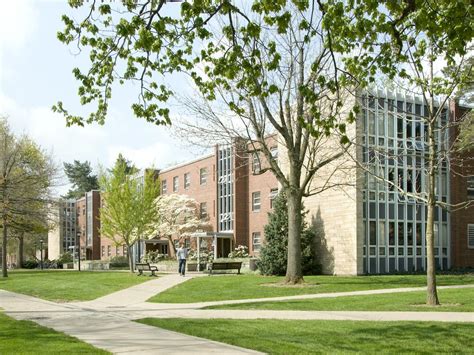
x=35 y=72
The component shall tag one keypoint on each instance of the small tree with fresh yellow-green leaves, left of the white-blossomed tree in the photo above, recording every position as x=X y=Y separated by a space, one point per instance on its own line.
x=128 y=210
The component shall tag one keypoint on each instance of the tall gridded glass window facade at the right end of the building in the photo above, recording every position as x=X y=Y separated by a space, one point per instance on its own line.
x=394 y=152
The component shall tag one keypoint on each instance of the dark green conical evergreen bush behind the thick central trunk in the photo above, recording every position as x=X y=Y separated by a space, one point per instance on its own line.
x=274 y=252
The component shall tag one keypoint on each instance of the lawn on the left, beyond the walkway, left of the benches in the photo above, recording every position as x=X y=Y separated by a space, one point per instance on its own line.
x=65 y=286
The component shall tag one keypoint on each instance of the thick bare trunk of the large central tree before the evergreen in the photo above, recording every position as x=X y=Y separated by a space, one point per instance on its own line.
x=294 y=271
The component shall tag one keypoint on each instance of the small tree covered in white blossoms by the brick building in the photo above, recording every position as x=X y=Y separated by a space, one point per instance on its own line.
x=178 y=216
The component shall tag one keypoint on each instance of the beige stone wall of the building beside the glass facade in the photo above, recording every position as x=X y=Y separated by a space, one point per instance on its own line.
x=335 y=210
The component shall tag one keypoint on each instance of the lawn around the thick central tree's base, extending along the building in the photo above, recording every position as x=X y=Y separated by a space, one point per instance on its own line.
x=218 y=288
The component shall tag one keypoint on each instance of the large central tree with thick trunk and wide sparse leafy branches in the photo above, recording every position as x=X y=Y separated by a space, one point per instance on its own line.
x=268 y=63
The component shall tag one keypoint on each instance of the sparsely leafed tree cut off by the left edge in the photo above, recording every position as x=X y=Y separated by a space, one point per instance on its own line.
x=26 y=175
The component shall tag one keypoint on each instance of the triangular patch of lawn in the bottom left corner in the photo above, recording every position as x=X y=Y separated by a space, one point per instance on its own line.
x=25 y=337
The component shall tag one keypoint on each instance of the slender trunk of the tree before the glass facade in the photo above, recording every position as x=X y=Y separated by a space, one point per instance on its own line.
x=431 y=293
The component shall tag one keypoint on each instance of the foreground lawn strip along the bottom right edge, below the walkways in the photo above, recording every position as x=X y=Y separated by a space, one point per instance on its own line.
x=309 y=337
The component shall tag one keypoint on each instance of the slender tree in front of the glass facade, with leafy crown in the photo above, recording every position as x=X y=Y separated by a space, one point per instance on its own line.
x=406 y=41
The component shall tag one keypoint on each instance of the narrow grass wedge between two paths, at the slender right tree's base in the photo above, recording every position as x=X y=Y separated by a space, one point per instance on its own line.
x=455 y=300
